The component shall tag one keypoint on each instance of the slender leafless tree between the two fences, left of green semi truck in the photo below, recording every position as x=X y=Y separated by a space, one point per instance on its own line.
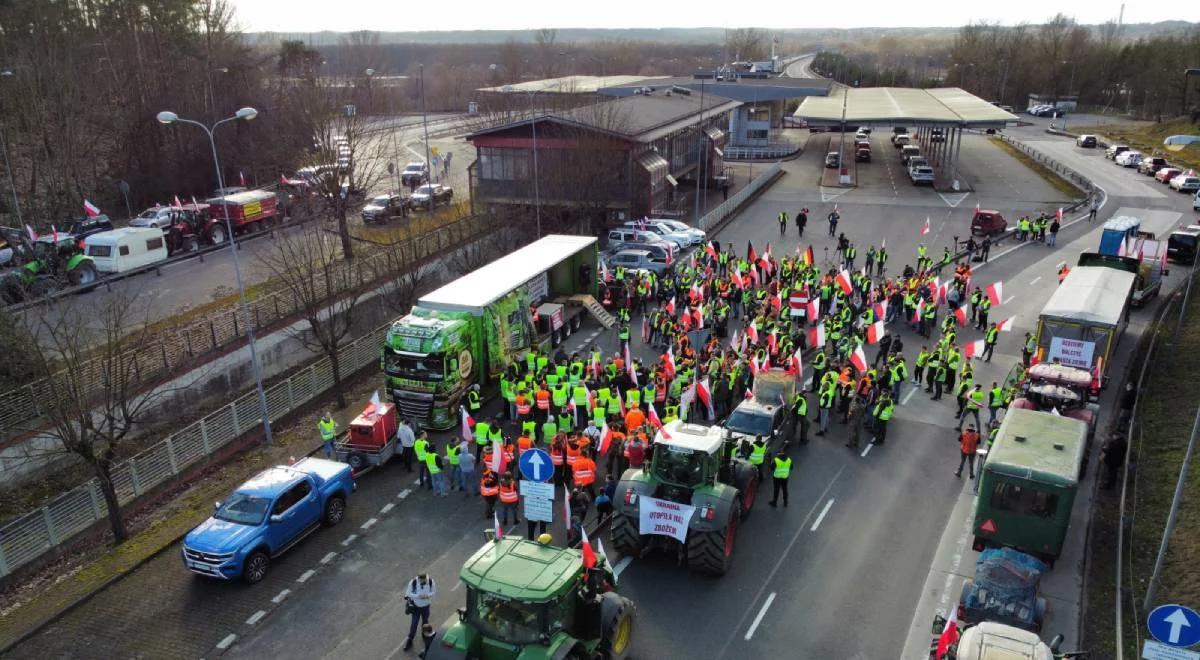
x=327 y=289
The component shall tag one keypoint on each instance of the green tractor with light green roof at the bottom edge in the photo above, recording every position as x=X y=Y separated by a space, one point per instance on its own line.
x=535 y=602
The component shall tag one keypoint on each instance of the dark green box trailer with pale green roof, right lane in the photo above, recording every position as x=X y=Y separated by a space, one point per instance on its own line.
x=1029 y=483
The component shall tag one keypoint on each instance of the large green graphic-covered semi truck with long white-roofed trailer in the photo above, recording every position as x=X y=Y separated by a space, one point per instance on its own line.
x=469 y=332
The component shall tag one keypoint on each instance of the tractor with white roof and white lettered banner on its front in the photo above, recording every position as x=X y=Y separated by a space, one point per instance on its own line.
x=693 y=466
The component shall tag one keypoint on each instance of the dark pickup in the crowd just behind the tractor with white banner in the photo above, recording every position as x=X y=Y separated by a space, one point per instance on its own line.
x=769 y=412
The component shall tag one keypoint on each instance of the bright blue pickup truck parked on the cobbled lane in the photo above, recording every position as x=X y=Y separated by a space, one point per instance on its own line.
x=266 y=517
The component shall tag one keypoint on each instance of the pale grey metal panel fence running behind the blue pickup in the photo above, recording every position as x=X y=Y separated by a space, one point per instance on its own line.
x=26 y=539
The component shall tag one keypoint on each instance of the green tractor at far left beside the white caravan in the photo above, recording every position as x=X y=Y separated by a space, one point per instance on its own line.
x=44 y=266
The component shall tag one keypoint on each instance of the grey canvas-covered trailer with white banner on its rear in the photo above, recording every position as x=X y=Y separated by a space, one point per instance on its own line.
x=1085 y=319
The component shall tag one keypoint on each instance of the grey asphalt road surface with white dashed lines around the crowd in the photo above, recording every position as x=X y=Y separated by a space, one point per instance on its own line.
x=838 y=575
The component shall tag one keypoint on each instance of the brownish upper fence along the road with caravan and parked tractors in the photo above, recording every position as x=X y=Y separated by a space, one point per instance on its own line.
x=178 y=346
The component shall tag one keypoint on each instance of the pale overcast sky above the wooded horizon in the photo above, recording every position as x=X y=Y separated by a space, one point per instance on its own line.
x=313 y=16
